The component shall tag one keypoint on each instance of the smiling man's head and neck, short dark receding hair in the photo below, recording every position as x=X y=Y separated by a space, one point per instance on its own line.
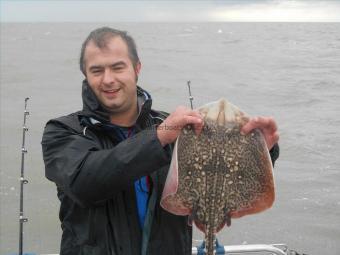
x=110 y=62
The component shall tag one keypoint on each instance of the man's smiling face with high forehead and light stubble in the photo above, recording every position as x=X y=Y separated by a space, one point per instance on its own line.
x=111 y=75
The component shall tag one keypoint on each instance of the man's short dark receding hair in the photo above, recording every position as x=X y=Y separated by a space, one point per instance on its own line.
x=101 y=36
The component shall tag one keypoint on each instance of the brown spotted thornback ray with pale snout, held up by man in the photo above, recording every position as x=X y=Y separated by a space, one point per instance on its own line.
x=220 y=174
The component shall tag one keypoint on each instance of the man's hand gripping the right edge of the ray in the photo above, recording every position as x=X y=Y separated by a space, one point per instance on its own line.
x=268 y=127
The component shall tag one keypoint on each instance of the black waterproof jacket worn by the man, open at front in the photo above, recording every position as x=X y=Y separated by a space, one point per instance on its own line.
x=95 y=175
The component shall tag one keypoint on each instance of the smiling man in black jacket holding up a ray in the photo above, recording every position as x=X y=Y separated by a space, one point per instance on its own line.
x=109 y=160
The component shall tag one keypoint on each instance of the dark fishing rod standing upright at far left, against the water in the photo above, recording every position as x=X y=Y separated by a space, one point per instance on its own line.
x=23 y=181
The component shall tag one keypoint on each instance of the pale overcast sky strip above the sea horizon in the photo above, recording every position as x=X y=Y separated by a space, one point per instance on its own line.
x=169 y=11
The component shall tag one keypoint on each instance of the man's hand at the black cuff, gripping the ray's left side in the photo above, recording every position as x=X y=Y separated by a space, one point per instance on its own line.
x=171 y=127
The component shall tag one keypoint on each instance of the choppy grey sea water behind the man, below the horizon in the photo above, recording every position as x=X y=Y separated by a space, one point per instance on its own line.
x=290 y=71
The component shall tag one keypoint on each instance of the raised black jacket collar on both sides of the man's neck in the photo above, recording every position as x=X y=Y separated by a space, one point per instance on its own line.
x=94 y=109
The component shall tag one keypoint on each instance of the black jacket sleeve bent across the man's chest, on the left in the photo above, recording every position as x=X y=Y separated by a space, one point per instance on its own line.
x=89 y=174
